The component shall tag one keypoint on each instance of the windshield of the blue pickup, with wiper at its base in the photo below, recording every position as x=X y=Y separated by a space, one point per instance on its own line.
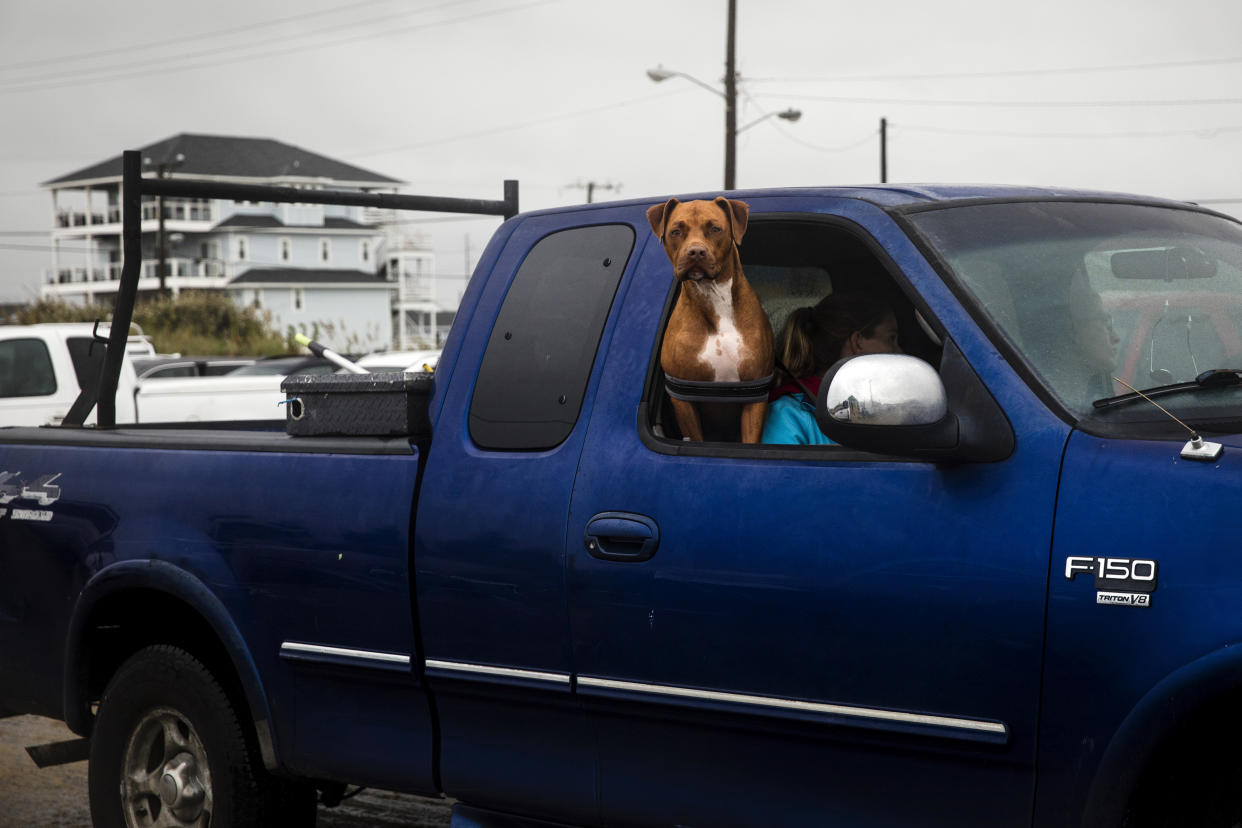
x=1089 y=291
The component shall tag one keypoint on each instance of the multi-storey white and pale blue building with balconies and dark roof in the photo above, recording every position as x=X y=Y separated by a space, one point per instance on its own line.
x=325 y=270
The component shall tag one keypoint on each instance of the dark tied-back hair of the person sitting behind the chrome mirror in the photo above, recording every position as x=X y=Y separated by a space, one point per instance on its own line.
x=812 y=341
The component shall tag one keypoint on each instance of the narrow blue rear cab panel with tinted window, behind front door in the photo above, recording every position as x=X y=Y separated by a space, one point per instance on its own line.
x=491 y=527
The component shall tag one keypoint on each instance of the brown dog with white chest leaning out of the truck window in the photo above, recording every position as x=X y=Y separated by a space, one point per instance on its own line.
x=718 y=332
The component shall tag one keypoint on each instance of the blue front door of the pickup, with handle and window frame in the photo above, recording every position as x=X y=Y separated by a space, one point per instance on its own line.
x=812 y=632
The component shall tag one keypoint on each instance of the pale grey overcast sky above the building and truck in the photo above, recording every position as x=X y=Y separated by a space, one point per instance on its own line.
x=455 y=96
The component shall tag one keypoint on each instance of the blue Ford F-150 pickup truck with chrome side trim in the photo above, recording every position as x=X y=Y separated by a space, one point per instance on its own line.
x=1009 y=595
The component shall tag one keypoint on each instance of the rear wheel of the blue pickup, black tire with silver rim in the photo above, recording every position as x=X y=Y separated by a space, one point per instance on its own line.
x=168 y=749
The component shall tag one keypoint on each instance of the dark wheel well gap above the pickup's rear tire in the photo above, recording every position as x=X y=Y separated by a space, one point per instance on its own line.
x=127 y=621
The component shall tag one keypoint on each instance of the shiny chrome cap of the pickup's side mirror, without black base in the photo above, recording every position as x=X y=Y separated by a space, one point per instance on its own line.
x=885 y=390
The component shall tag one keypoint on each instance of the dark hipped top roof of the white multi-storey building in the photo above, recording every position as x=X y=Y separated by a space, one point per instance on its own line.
x=249 y=158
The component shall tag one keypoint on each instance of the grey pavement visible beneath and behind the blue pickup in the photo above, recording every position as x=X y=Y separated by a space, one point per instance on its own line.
x=55 y=798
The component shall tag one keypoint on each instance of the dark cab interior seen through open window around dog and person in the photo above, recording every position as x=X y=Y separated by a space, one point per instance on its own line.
x=794 y=261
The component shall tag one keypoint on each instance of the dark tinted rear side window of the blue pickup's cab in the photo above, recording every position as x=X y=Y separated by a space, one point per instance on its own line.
x=530 y=389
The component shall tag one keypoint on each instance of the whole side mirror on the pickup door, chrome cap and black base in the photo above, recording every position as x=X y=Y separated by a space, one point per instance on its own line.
x=887 y=403
